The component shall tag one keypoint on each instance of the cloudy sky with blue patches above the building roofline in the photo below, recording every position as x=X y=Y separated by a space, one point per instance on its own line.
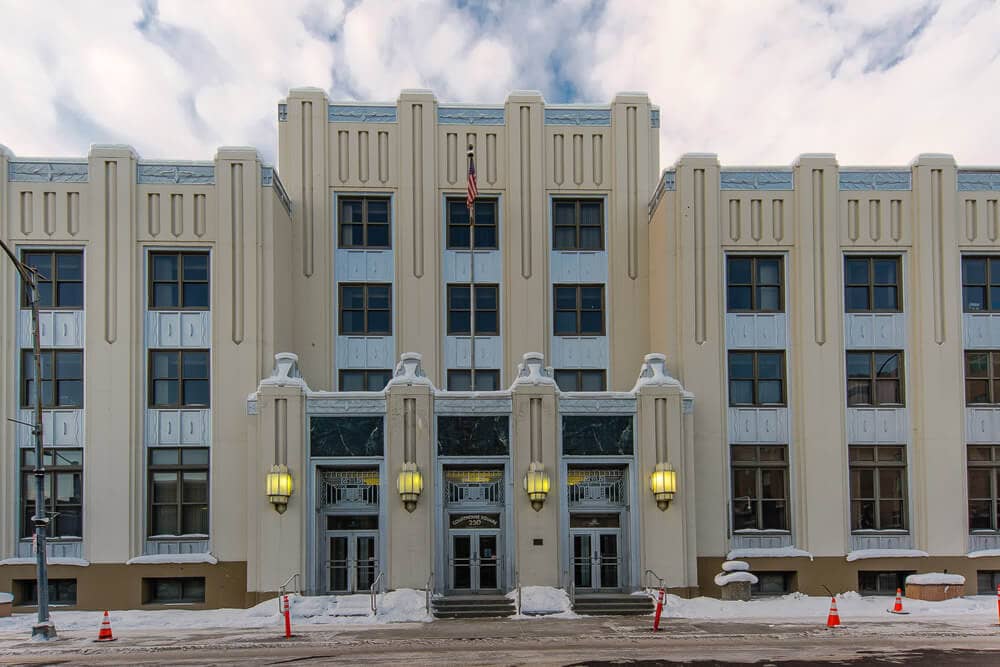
x=876 y=81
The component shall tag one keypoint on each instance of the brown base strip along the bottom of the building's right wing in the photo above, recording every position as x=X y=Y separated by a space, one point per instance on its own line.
x=814 y=577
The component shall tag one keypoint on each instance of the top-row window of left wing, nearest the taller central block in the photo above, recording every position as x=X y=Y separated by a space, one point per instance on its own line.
x=178 y=281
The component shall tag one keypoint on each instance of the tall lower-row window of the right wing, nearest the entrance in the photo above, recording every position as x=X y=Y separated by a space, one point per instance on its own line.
x=760 y=487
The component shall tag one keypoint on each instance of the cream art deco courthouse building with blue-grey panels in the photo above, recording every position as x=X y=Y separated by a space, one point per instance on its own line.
x=206 y=323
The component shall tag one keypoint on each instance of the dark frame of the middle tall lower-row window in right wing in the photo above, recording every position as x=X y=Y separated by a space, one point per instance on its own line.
x=877 y=466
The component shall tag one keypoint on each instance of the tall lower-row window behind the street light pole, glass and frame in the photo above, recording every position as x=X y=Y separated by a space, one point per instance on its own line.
x=63 y=501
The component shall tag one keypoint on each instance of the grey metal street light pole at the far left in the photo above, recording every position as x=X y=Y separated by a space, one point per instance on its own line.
x=44 y=628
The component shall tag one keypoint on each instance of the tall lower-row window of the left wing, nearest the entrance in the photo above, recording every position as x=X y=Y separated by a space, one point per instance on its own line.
x=178 y=491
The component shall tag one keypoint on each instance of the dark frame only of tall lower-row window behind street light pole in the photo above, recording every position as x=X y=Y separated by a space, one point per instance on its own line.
x=54 y=508
